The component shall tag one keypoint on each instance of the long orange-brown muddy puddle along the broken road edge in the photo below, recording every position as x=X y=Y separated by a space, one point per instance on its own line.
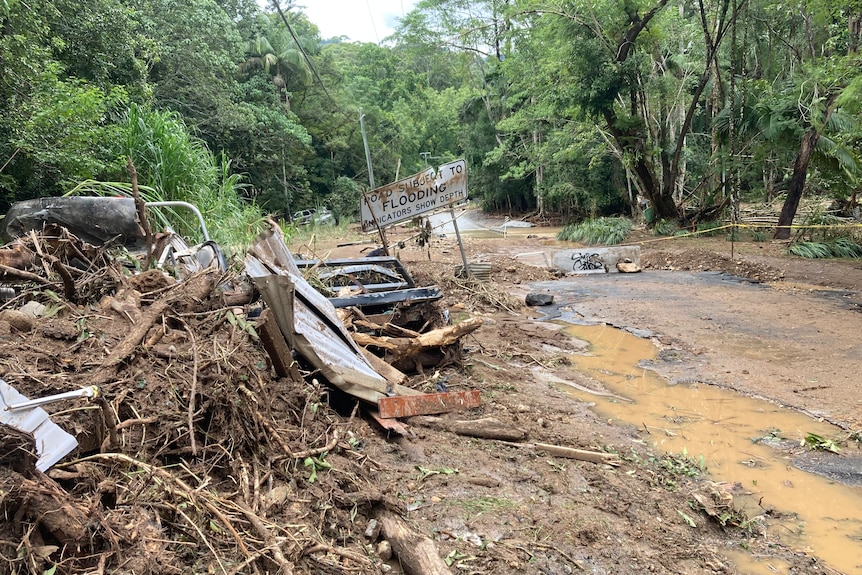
x=732 y=433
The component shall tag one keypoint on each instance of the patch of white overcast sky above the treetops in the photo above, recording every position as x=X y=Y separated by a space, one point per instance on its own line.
x=359 y=20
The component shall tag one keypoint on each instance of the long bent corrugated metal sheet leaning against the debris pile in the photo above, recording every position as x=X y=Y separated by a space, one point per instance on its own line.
x=308 y=321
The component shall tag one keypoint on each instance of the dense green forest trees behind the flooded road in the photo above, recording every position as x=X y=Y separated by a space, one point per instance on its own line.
x=576 y=107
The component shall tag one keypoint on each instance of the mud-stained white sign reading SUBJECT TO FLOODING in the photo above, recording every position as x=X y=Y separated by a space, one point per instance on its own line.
x=417 y=194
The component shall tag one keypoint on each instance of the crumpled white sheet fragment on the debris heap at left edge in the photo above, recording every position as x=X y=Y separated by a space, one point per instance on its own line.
x=52 y=443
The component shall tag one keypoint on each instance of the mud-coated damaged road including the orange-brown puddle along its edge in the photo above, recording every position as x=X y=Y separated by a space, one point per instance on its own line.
x=738 y=387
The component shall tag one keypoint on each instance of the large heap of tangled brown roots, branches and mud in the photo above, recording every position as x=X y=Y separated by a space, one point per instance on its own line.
x=198 y=456
